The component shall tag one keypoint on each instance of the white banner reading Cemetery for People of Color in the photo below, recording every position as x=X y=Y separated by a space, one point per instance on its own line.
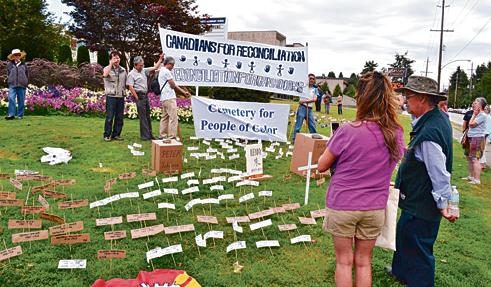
x=226 y=119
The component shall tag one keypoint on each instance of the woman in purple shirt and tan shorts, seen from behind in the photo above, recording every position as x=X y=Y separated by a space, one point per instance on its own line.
x=366 y=152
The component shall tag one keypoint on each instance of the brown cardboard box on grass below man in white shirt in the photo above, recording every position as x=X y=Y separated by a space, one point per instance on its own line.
x=167 y=157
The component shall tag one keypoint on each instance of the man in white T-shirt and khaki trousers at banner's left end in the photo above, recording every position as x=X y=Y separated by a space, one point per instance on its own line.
x=169 y=120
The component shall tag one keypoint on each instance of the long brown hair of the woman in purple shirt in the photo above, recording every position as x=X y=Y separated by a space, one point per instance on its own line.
x=376 y=102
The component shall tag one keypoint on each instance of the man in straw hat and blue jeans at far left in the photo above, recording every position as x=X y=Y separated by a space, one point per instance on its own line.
x=17 y=78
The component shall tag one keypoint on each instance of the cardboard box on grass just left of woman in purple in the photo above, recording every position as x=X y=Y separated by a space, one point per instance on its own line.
x=304 y=143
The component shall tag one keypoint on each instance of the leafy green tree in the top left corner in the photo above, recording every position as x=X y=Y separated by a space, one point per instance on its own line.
x=28 y=26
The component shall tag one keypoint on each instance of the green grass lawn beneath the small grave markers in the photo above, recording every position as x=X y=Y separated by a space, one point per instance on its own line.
x=461 y=250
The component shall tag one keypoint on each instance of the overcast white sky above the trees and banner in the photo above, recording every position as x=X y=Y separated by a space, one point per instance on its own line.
x=343 y=34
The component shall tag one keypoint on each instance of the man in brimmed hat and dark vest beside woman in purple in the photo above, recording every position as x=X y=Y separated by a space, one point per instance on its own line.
x=424 y=183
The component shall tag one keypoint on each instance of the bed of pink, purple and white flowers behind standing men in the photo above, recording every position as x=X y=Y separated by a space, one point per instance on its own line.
x=80 y=101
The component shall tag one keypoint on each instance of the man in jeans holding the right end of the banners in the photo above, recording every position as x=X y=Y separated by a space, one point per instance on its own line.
x=304 y=111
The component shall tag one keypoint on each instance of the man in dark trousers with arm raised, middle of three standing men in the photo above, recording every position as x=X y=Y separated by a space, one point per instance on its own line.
x=138 y=85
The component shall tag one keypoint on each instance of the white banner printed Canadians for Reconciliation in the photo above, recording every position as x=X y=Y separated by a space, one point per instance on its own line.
x=201 y=61
